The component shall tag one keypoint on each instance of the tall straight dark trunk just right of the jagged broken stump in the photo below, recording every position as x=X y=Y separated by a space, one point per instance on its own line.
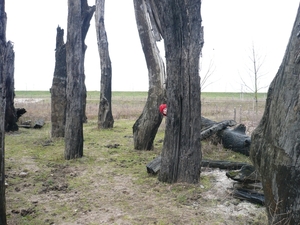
x=79 y=16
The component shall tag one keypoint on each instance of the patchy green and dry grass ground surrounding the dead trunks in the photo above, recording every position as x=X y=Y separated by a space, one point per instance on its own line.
x=110 y=185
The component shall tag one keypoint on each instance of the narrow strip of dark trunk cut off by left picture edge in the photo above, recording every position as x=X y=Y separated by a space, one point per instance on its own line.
x=3 y=64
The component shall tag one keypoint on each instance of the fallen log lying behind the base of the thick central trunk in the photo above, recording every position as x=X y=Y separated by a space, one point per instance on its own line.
x=154 y=166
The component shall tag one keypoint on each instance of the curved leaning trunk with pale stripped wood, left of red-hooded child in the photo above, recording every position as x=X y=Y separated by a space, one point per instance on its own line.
x=145 y=128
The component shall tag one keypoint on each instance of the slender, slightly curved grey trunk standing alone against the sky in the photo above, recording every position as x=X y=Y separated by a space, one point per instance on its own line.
x=105 y=118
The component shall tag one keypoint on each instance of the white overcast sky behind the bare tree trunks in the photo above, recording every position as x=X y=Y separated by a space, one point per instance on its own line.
x=231 y=28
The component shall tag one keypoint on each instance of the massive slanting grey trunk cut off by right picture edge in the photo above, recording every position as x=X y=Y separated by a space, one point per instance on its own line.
x=275 y=147
